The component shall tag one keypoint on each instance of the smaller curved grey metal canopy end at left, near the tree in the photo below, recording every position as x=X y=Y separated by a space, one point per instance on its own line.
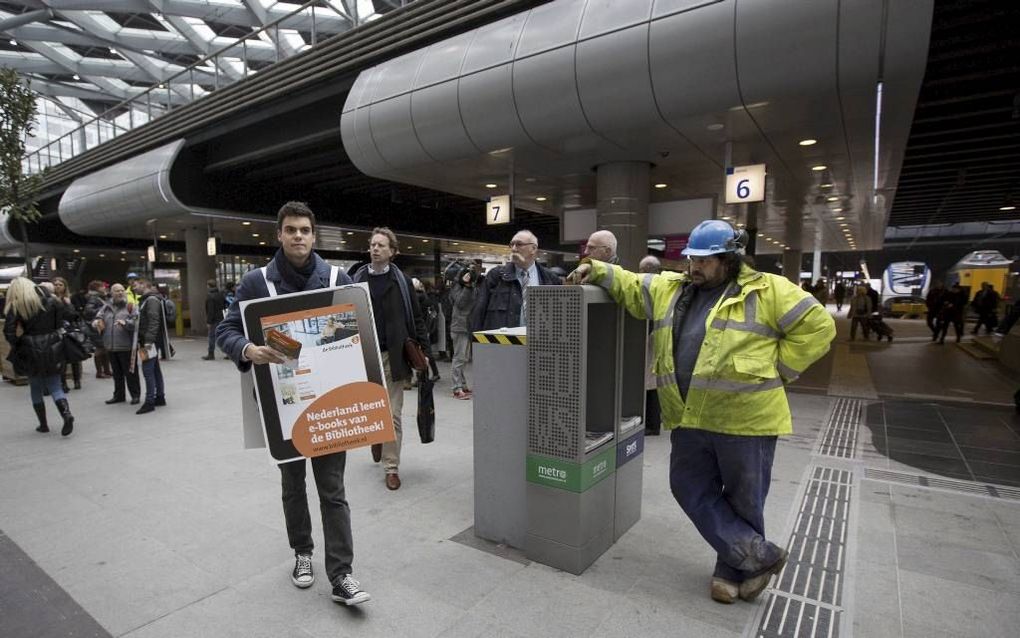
x=130 y=192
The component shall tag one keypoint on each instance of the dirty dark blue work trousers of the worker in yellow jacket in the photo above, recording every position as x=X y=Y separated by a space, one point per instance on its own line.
x=722 y=482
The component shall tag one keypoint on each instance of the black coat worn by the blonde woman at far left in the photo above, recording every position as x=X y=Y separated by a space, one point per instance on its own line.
x=39 y=352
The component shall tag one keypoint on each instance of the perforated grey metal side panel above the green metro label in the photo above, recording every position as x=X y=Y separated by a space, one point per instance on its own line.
x=556 y=371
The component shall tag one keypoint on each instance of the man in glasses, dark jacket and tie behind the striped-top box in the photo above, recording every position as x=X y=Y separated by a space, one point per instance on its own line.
x=501 y=302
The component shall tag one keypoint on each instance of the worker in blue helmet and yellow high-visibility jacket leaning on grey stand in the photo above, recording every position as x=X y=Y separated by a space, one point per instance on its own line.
x=727 y=341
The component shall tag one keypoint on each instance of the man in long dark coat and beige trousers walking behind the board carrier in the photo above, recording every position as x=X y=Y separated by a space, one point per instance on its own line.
x=398 y=316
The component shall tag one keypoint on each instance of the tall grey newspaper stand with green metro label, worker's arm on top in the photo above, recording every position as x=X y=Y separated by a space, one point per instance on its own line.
x=586 y=408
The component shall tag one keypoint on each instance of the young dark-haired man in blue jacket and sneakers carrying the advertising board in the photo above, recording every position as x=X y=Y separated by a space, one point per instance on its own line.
x=296 y=268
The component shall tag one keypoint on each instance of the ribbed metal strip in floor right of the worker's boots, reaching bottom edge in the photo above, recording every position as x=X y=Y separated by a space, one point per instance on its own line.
x=807 y=599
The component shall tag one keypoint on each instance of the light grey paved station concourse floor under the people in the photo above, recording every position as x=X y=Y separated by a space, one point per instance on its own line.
x=163 y=525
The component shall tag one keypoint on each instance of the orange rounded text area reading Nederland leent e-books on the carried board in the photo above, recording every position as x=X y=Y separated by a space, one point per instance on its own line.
x=353 y=416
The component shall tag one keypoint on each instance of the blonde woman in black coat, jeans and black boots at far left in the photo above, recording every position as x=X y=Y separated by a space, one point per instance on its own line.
x=32 y=328
